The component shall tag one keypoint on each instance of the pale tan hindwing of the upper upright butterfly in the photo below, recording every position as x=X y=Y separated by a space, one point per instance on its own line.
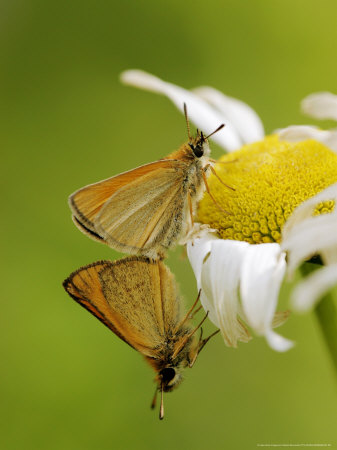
x=145 y=212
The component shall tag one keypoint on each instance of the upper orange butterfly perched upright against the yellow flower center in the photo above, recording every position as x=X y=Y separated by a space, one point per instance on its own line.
x=146 y=210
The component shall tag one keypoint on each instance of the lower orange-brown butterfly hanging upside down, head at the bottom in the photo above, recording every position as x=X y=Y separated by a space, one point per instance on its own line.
x=137 y=299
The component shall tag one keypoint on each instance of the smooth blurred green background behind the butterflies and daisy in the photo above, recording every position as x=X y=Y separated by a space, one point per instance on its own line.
x=67 y=382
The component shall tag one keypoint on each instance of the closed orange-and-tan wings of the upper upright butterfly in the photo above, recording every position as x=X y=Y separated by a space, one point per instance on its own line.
x=135 y=210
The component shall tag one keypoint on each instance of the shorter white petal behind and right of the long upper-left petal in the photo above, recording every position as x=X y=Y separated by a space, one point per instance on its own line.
x=245 y=120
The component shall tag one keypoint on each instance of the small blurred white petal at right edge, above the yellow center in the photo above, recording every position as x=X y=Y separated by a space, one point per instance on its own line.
x=321 y=105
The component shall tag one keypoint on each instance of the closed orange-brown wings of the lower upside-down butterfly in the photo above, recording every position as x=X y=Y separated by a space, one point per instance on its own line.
x=134 y=297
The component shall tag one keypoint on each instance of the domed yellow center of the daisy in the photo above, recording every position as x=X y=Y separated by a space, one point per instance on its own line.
x=270 y=179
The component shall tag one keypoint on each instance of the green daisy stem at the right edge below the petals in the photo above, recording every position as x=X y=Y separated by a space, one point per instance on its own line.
x=326 y=314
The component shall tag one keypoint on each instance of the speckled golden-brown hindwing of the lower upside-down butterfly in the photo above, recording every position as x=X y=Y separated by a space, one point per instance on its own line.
x=143 y=288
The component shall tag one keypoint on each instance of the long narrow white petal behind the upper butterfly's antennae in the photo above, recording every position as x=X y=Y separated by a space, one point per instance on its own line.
x=199 y=111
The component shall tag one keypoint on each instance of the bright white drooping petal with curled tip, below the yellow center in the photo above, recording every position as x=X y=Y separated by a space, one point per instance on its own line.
x=262 y=274
